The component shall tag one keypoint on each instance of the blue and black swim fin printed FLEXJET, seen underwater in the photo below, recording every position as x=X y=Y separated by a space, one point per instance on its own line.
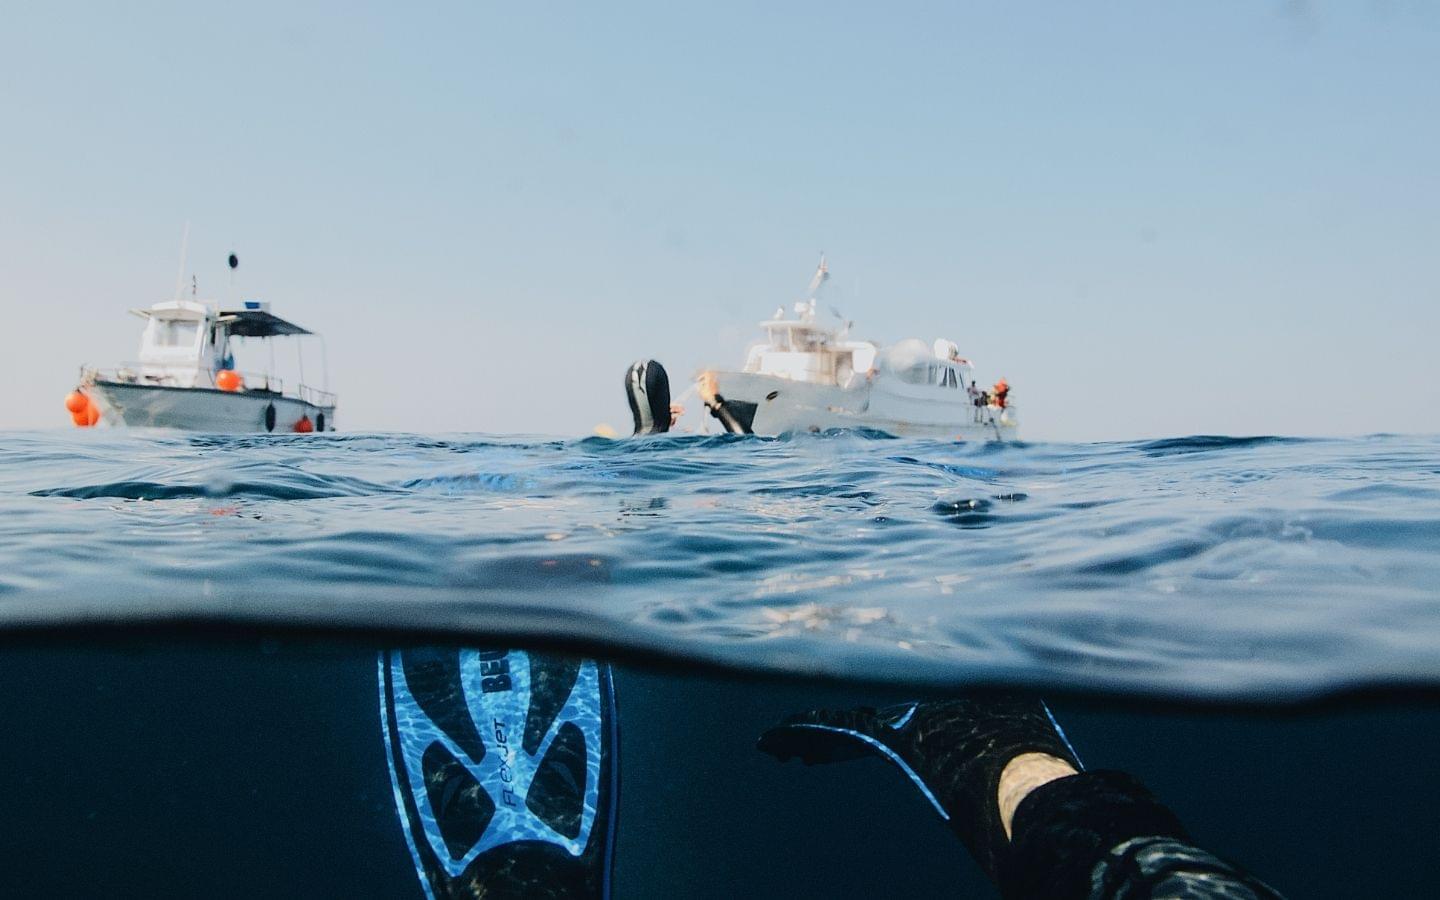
x=503 y=770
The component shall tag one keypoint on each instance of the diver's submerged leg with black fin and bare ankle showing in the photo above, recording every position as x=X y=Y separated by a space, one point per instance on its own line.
x=1003 y=775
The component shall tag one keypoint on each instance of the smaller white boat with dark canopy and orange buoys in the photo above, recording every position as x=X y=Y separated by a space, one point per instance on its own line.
x=186 y=377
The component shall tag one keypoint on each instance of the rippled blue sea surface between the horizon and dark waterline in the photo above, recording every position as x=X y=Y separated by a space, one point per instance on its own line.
x=1255 y=570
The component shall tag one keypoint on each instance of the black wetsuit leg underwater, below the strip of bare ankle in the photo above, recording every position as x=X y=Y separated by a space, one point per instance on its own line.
x=1102 y=836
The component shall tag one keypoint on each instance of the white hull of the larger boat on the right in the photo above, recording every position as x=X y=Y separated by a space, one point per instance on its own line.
x=784 y=405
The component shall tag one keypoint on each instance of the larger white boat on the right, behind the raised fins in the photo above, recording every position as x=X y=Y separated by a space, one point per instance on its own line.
x=806 y=377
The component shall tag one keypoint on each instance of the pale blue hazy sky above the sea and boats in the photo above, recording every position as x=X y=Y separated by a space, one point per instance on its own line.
x=1151 y=218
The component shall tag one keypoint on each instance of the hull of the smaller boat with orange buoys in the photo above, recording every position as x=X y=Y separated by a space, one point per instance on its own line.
x=205 y=410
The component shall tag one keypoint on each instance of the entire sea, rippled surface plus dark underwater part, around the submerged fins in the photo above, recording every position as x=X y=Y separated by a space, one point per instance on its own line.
x=194 y=627
